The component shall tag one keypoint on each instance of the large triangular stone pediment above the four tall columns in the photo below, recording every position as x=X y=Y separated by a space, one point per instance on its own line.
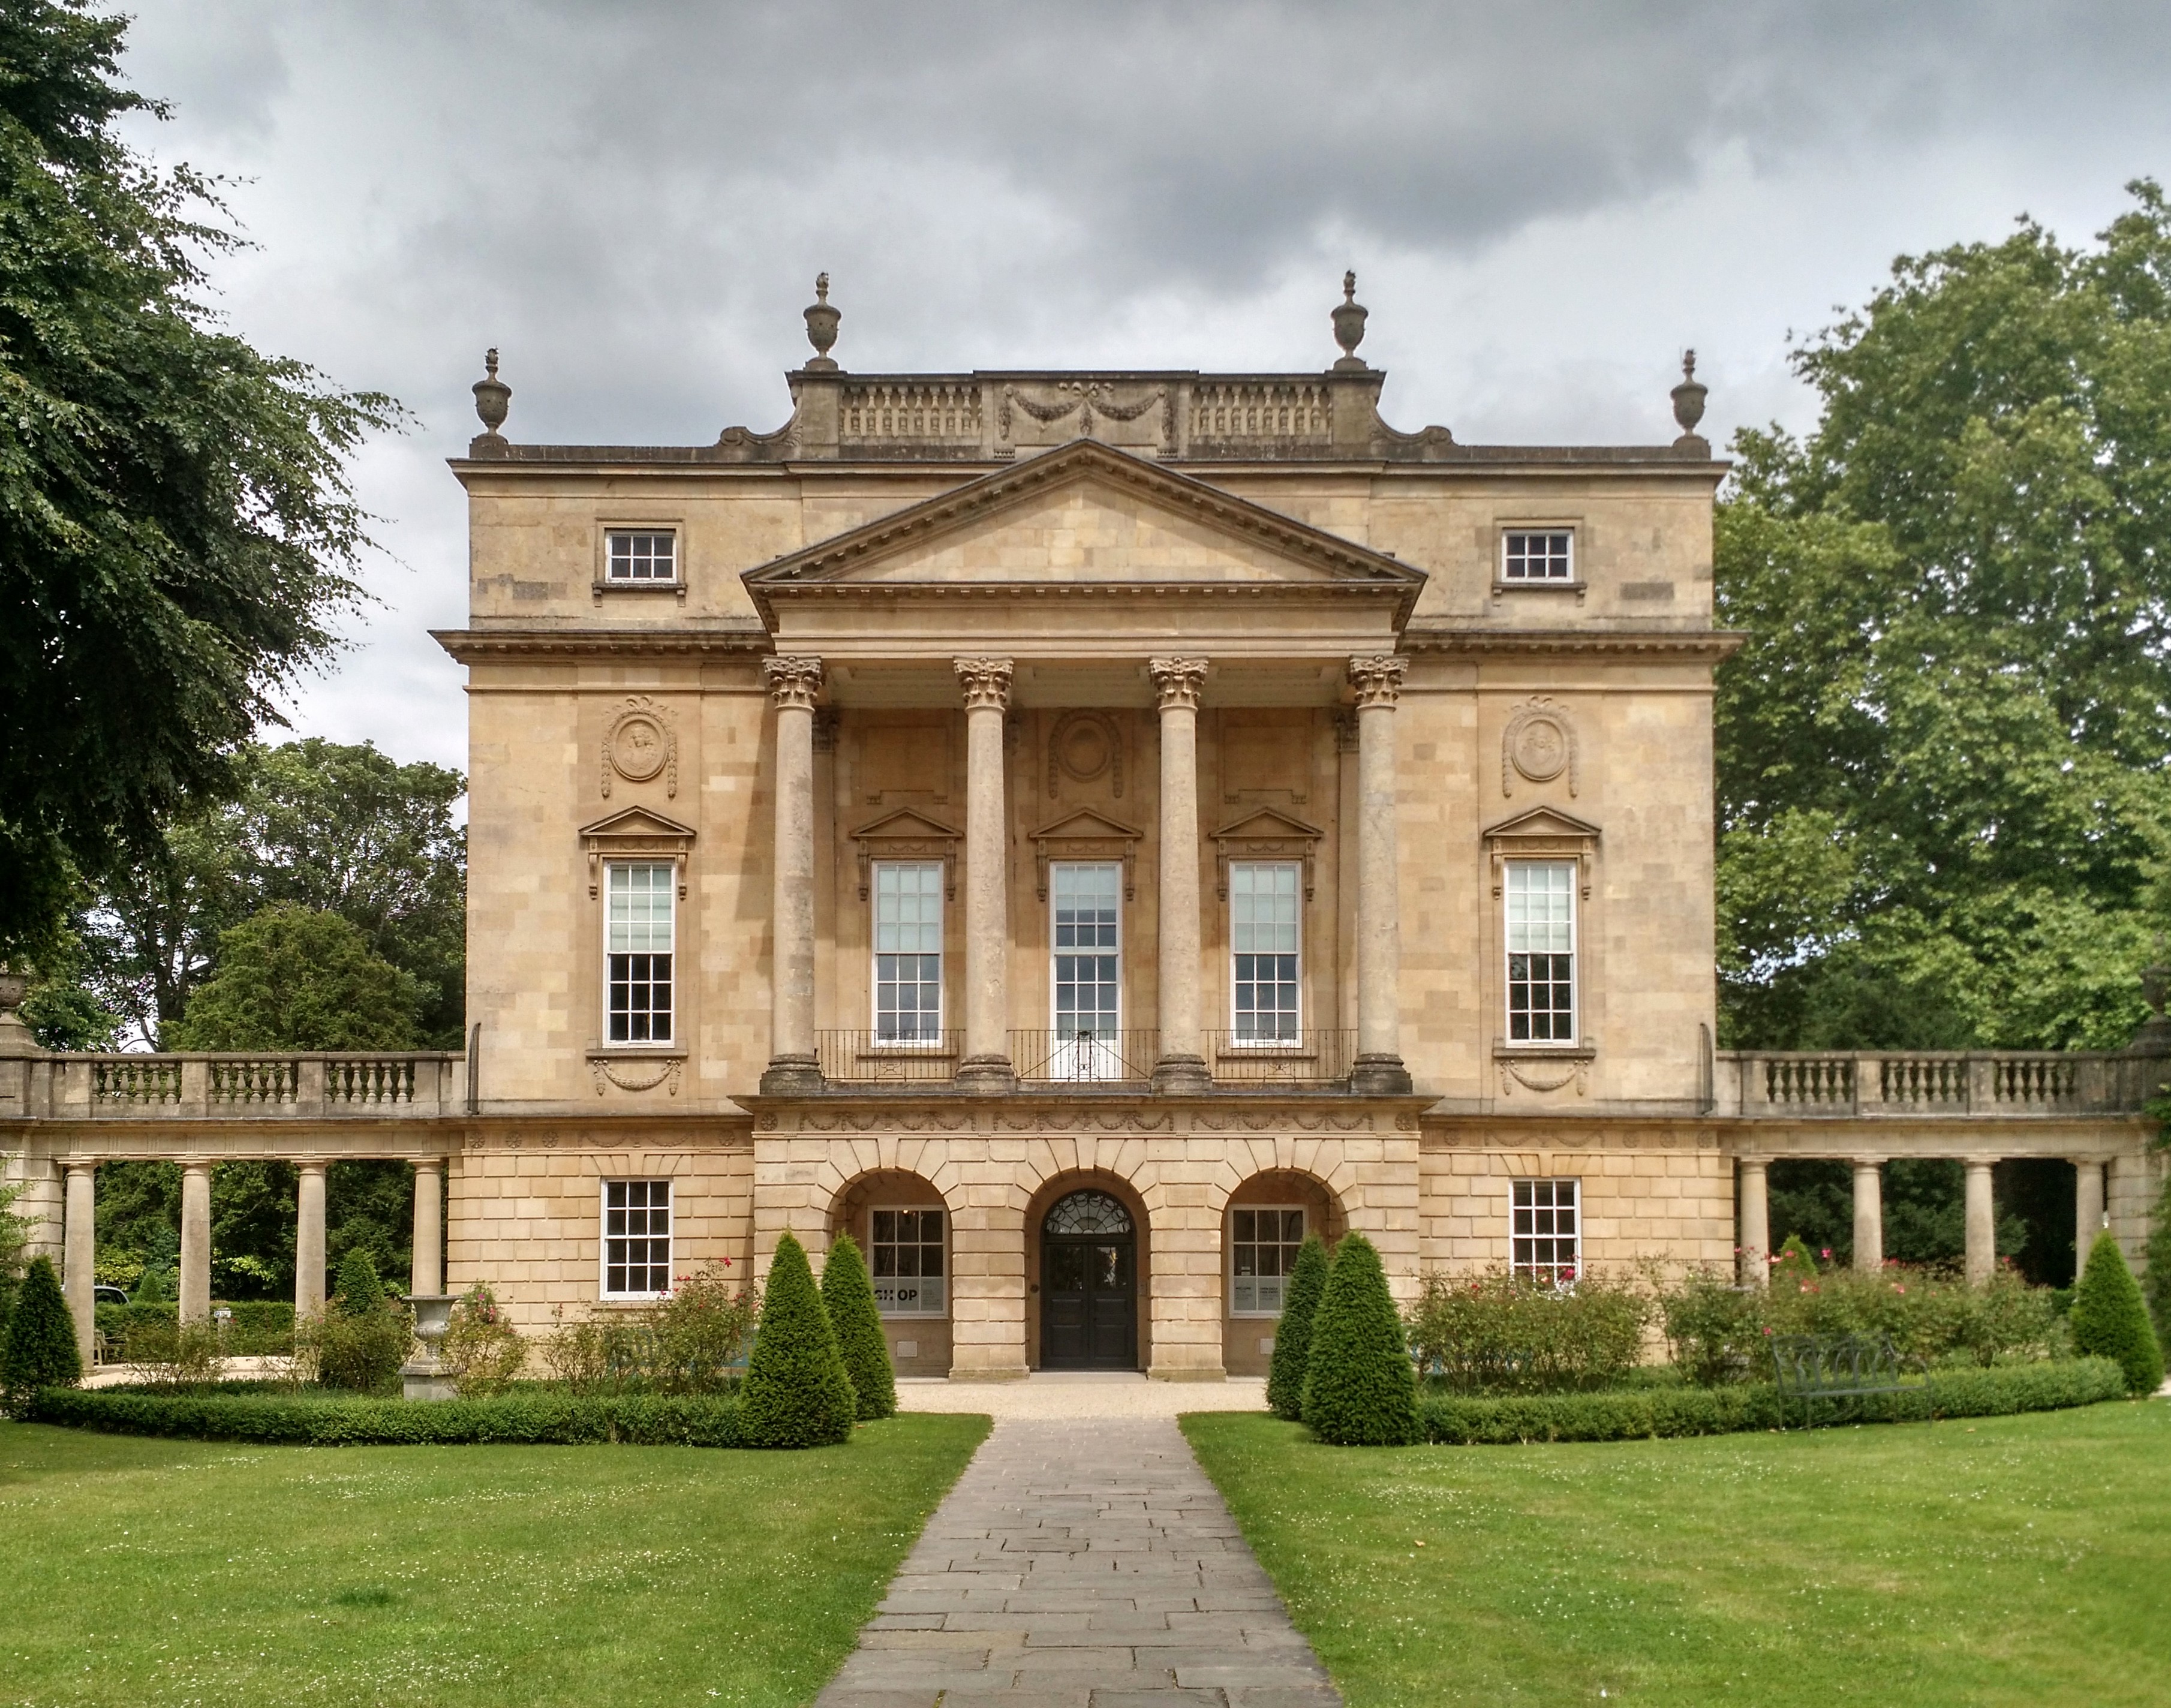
x=1082 y=515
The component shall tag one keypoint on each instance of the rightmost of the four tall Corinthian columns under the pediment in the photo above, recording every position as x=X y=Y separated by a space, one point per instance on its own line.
x=1380 y=910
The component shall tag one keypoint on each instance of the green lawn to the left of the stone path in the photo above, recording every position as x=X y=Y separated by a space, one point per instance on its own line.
x=173 y=1572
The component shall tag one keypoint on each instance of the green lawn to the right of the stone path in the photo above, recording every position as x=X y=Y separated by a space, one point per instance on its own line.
x=2003 y=1562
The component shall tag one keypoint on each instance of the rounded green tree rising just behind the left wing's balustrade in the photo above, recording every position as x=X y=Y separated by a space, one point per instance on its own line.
x=292 y=980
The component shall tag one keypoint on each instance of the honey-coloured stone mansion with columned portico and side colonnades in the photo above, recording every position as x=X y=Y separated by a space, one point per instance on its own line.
x=1082 y=832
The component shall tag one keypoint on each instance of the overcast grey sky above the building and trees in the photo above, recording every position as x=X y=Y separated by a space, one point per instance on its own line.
x=1545 y=205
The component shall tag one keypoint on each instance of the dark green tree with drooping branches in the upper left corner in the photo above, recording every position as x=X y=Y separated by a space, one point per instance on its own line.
x=177 y=526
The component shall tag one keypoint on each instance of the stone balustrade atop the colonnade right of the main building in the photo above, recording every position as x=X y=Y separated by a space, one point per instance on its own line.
x=1977 y=1084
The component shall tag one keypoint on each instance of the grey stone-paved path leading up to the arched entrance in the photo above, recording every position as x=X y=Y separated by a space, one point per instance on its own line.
x=1082 y=1566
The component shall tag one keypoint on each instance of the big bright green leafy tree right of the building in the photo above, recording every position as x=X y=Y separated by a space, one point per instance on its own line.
x=1944 y=806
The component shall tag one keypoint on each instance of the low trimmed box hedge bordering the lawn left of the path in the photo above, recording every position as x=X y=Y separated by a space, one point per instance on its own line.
x=342 y=1420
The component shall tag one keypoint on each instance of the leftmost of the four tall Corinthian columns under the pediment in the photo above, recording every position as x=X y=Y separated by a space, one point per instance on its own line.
x=794 y=1065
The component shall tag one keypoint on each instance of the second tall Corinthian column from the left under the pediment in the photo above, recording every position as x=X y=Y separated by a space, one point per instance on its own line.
x=987 y=904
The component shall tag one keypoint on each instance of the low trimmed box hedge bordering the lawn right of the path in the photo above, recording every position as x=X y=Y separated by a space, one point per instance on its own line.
x=1671 y=1412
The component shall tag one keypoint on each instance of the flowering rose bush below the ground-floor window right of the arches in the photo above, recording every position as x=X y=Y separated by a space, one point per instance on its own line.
x=1506 y=1334
